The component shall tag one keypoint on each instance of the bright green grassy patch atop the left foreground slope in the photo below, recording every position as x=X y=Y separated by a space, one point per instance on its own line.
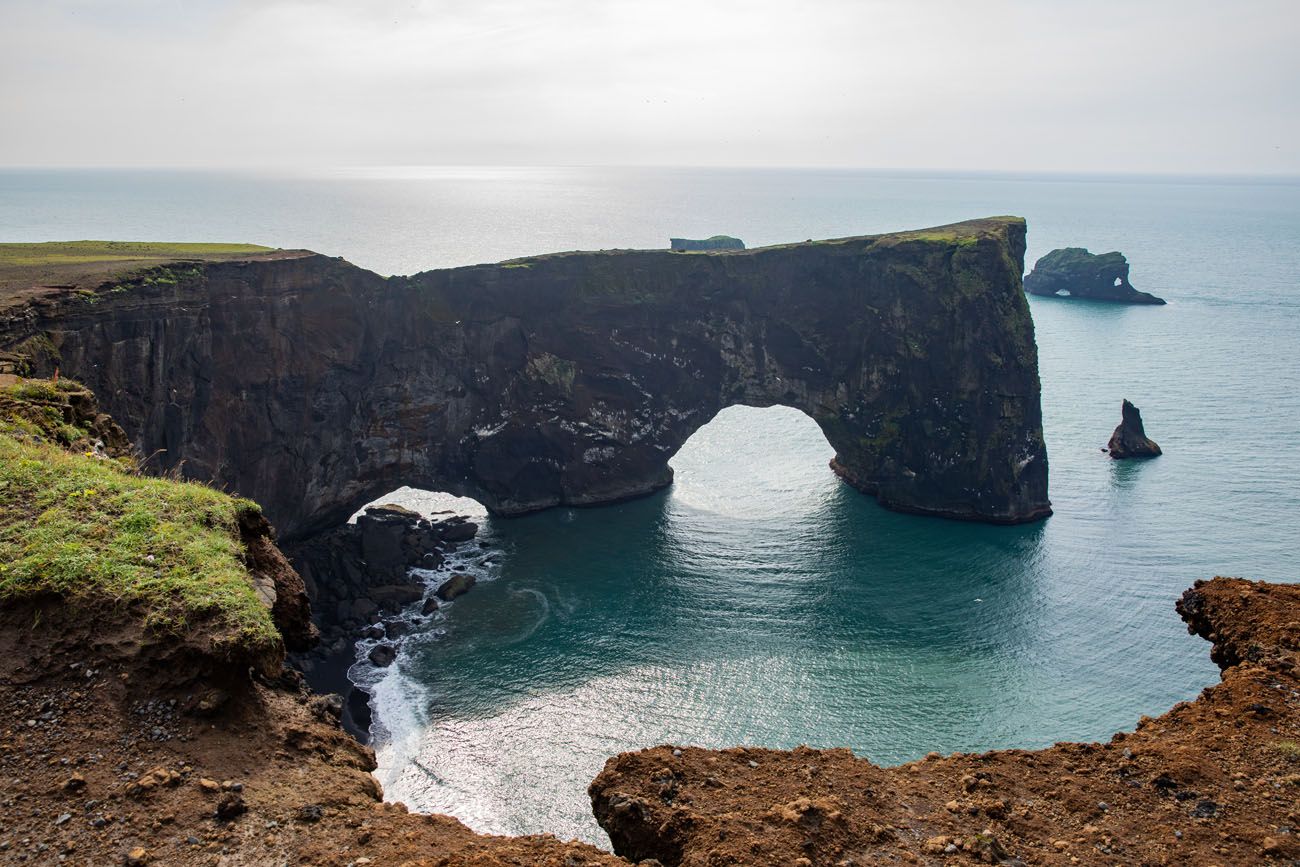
x=79 y=524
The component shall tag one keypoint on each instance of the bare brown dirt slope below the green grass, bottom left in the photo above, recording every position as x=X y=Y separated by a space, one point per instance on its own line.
x=123 y=748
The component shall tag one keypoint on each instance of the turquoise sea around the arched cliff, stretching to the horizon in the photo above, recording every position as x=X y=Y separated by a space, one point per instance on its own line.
x=760 y=601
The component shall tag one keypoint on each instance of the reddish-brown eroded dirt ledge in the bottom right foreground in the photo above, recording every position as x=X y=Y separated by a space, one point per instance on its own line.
x=1214 y=782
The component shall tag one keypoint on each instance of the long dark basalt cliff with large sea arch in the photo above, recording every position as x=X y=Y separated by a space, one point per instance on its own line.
x=314 y=387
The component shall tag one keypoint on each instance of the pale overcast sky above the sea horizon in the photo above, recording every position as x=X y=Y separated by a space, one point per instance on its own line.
x=1171 y=86
